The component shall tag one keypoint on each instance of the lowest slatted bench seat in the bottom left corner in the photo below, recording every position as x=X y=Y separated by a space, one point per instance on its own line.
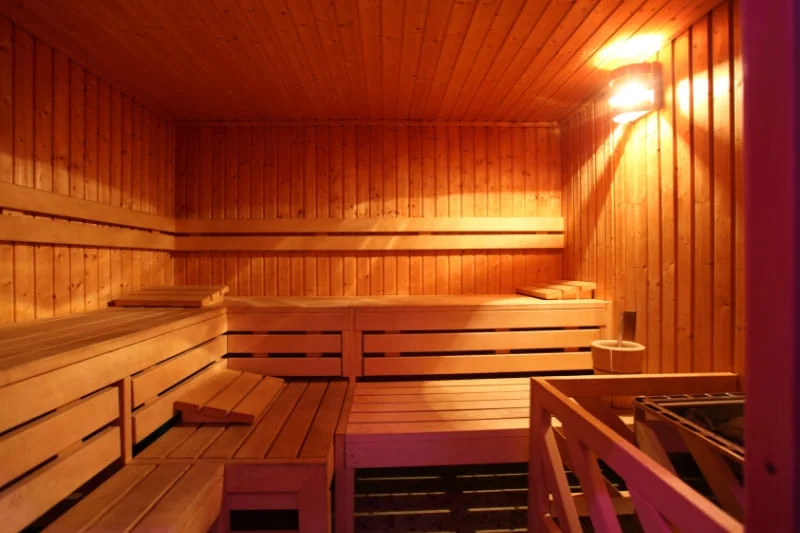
x=148 y=498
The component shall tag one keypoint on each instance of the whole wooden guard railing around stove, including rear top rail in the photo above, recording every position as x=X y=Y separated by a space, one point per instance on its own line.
x=663 y=502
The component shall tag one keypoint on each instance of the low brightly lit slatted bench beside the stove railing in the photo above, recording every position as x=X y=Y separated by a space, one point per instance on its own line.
x=435 y=423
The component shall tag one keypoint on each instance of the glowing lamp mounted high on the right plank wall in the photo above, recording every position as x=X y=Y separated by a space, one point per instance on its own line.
x=635 y=91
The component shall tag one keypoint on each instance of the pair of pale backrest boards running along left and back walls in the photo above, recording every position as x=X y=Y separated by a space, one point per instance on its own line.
x=489 y=233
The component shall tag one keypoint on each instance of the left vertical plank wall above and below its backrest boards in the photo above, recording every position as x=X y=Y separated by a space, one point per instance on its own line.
x=64 y=130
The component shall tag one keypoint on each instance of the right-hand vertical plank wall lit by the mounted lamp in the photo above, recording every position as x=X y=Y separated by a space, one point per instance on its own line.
x=654 y=209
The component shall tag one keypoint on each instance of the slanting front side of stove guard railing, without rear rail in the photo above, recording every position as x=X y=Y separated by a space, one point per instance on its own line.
x=661 y=499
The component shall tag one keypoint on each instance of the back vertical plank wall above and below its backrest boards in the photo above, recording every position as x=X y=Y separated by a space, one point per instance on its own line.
x=361 y=171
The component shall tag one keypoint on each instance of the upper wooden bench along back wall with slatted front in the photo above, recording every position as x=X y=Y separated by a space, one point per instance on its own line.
x=412 y=335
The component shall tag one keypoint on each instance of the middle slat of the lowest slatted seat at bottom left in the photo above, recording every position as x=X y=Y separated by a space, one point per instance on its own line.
x=137 y=502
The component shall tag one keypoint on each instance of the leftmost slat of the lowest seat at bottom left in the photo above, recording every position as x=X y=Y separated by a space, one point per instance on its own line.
x=97 y=502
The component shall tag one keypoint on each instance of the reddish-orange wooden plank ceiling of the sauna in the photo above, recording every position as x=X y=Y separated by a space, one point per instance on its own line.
x=437 y=60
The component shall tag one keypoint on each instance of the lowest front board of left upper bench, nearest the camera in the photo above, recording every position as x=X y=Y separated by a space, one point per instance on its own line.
x=55 y=481
